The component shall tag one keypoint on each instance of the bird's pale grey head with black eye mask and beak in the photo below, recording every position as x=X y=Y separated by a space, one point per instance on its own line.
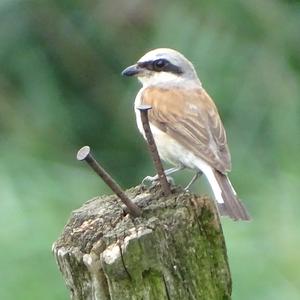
x=162 y=66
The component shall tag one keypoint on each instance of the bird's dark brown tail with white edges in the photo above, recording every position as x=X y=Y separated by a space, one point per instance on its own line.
x=228 y=201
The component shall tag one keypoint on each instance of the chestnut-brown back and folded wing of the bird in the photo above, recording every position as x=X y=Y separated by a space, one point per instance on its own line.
x=190 y=117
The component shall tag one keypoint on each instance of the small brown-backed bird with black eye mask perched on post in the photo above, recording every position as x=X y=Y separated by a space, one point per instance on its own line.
x=185 y=124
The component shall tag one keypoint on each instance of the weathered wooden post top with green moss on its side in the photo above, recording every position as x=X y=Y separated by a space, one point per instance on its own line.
x=176 y=250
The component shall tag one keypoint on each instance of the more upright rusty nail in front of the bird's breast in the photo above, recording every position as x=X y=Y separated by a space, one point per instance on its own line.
x=153 y=149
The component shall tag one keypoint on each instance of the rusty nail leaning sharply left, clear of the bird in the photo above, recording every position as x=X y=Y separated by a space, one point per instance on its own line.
x=85 y=154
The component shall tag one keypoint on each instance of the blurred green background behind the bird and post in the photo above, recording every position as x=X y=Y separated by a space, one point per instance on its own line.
x=60 y=89
